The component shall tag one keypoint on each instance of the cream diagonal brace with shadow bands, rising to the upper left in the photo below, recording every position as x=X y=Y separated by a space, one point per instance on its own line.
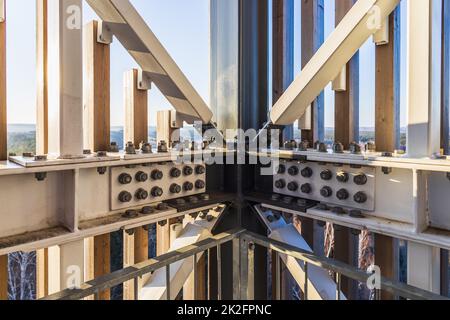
x=142 y=44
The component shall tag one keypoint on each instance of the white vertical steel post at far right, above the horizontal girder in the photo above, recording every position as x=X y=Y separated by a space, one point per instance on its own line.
x=424 y=77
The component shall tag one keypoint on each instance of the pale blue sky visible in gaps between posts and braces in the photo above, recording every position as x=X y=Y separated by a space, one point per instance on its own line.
x=183 y=28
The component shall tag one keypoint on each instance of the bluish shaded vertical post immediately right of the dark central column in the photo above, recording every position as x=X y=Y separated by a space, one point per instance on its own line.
x=282 y=52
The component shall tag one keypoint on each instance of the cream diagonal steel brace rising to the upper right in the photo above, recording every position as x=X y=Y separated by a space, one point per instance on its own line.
x=353 y=31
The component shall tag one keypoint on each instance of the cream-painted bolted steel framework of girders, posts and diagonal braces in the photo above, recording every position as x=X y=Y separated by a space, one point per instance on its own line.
x=76 y=195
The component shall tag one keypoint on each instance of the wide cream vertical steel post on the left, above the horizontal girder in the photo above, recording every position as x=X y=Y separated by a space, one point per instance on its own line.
x=65 y=78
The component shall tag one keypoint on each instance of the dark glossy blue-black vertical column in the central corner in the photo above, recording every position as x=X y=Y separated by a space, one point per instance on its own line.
x=253 y=109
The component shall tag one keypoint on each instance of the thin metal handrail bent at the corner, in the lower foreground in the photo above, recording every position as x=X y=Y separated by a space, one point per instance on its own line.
x=244 y=244
